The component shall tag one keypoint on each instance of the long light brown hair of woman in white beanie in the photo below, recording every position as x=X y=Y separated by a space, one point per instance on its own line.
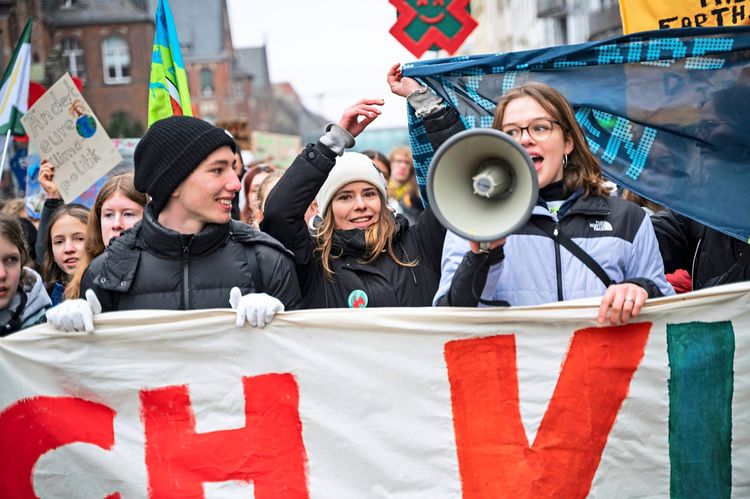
x=379 y=237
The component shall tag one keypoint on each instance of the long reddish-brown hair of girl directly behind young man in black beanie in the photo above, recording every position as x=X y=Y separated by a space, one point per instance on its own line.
x=94 y=242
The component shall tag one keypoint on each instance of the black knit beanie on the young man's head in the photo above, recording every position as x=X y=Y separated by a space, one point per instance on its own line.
x=170 y=151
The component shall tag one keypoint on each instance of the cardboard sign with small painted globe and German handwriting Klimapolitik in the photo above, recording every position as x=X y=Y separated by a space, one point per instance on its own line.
x=64 y=130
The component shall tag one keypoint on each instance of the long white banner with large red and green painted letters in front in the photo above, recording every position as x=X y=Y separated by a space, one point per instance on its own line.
x=520 y=402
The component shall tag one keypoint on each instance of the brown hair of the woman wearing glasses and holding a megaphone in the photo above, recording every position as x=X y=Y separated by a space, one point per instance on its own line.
x=582 y=169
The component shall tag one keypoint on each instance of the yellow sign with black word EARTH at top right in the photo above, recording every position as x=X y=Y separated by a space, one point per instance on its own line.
x=646 y=15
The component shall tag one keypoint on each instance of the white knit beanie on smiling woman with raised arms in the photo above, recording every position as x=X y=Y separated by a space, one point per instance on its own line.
x=350 y=167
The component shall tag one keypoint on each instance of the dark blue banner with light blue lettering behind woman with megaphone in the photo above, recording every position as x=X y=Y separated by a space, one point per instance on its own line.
x=664 y=112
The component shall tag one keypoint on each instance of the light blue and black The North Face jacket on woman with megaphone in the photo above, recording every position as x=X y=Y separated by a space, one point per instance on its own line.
x=616 y=233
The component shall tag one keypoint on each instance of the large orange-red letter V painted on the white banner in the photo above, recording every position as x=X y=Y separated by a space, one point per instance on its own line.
x=494 y=456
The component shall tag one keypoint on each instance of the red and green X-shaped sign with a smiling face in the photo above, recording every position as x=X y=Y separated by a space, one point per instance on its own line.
x=423 y=25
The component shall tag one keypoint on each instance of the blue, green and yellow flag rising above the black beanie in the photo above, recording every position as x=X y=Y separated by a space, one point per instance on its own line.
x=169 y=94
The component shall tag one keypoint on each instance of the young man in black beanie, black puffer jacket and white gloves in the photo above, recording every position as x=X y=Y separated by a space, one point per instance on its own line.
x=186 y=253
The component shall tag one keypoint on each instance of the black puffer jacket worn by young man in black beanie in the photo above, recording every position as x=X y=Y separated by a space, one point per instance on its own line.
x=151 y=267
